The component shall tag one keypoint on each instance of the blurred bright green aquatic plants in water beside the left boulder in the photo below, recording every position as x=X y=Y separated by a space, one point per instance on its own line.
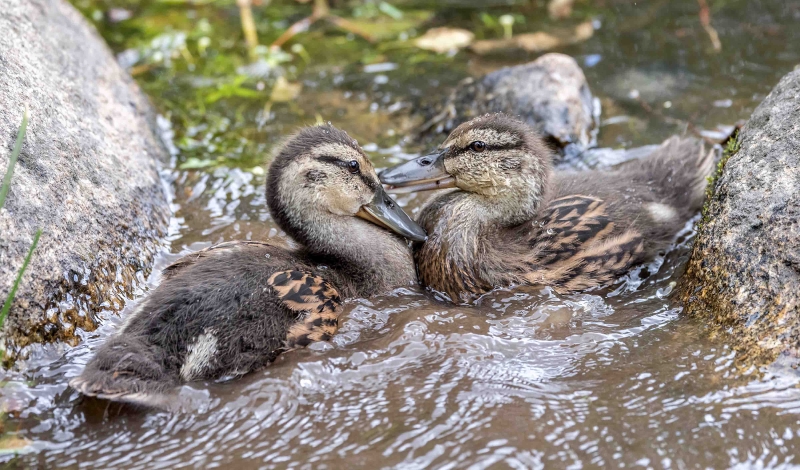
x=210 y=70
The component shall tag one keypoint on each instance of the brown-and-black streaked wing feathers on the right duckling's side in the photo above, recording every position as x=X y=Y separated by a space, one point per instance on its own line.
x=575 y=247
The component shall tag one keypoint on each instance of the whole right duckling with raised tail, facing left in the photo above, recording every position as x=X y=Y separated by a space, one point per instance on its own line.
x=513 y=220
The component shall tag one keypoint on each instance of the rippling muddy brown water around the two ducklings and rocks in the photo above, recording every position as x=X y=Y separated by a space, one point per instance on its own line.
x=526 y=379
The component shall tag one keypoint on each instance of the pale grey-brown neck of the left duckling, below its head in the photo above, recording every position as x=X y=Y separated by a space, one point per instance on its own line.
x=362 y=258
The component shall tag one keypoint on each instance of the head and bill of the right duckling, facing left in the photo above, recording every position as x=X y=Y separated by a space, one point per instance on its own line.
x=494 y=157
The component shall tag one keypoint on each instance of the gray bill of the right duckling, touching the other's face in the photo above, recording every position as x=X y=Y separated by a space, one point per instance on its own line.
x=422 y=173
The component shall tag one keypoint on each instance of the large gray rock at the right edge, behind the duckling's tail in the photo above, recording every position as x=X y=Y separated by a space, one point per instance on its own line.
x=744 y=272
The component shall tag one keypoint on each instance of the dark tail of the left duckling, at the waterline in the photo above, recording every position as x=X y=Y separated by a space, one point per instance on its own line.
x=126 y=370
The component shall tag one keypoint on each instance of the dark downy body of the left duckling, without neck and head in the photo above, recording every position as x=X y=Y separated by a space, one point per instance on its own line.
x=207 y=320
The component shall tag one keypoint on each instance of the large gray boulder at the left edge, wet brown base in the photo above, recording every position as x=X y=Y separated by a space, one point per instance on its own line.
x=87 y=175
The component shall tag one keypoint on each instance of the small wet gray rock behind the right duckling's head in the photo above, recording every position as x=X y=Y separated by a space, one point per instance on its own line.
x=549 y=93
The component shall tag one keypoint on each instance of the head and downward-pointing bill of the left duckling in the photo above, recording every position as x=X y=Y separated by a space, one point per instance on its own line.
x=323 y=190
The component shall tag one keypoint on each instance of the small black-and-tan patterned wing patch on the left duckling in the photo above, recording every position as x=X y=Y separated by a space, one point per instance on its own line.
x=313 y=297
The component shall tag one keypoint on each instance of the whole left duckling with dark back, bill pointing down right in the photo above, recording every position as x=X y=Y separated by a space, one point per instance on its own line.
x=234 y=307
